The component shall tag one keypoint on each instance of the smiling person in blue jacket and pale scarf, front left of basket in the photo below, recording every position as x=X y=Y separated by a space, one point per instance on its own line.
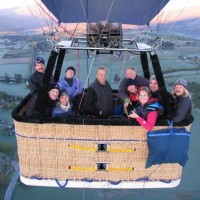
x=63 y=107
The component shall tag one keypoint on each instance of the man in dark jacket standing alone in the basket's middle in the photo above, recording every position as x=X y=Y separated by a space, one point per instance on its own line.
x=99 y=99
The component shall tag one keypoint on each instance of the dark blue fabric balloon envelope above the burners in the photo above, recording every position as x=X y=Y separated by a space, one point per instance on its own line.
x=138 y=12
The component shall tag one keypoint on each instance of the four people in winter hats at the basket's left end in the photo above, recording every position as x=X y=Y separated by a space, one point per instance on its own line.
x=59 y=98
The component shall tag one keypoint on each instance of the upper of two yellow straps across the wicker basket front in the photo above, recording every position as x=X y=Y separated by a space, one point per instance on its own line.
x=95 y=149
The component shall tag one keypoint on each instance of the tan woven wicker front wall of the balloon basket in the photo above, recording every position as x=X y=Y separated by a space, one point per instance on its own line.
x=63 y=151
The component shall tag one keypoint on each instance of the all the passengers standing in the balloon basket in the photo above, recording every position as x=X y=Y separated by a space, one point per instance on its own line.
x=141 y=97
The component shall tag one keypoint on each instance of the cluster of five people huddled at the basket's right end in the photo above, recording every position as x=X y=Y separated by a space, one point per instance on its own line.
x=146 y=101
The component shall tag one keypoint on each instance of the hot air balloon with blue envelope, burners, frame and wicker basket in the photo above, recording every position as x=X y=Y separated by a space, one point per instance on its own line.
x=83 y=151
